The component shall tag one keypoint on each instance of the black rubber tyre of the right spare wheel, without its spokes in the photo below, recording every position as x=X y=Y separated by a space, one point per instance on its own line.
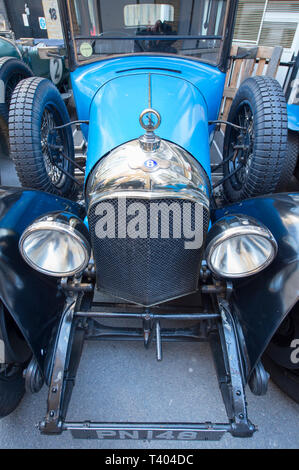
x=265 y=99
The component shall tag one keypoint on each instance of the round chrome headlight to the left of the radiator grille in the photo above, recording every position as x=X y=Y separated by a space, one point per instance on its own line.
x=56 y=245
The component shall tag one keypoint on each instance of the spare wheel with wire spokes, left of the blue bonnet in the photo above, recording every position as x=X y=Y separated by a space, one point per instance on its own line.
x=42 y=155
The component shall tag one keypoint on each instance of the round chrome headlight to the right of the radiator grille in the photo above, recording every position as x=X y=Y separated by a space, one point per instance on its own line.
x=239 y=246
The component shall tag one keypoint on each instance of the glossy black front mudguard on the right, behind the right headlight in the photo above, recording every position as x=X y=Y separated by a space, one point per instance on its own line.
x=262 y=301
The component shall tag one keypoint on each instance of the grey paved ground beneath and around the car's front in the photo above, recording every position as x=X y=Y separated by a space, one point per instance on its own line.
x=122 y=381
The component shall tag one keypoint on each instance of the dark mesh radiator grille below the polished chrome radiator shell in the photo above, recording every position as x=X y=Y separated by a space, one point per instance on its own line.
x=145 y=271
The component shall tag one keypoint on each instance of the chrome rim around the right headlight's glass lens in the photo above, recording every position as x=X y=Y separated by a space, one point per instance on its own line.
x=247 y=227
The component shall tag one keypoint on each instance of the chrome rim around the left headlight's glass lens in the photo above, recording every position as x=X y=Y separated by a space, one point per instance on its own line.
x=48 y=224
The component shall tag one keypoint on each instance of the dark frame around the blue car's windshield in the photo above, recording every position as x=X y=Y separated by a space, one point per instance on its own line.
x=225 y=47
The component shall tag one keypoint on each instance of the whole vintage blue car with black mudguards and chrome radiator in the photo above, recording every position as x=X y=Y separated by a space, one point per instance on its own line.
x=146 y=239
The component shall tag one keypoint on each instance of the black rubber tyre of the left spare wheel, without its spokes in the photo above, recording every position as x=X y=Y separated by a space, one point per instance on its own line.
x=31 y=99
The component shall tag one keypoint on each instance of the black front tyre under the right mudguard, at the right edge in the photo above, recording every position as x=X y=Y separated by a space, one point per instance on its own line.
x=277 y=360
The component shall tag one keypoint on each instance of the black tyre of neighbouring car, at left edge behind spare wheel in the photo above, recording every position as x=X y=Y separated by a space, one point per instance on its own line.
x=12 y=71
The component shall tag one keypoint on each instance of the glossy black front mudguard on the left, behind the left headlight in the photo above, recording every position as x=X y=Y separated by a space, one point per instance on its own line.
x=33 y=300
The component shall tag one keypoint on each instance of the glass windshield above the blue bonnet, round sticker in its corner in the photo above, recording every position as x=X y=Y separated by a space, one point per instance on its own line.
x=192 y=28
